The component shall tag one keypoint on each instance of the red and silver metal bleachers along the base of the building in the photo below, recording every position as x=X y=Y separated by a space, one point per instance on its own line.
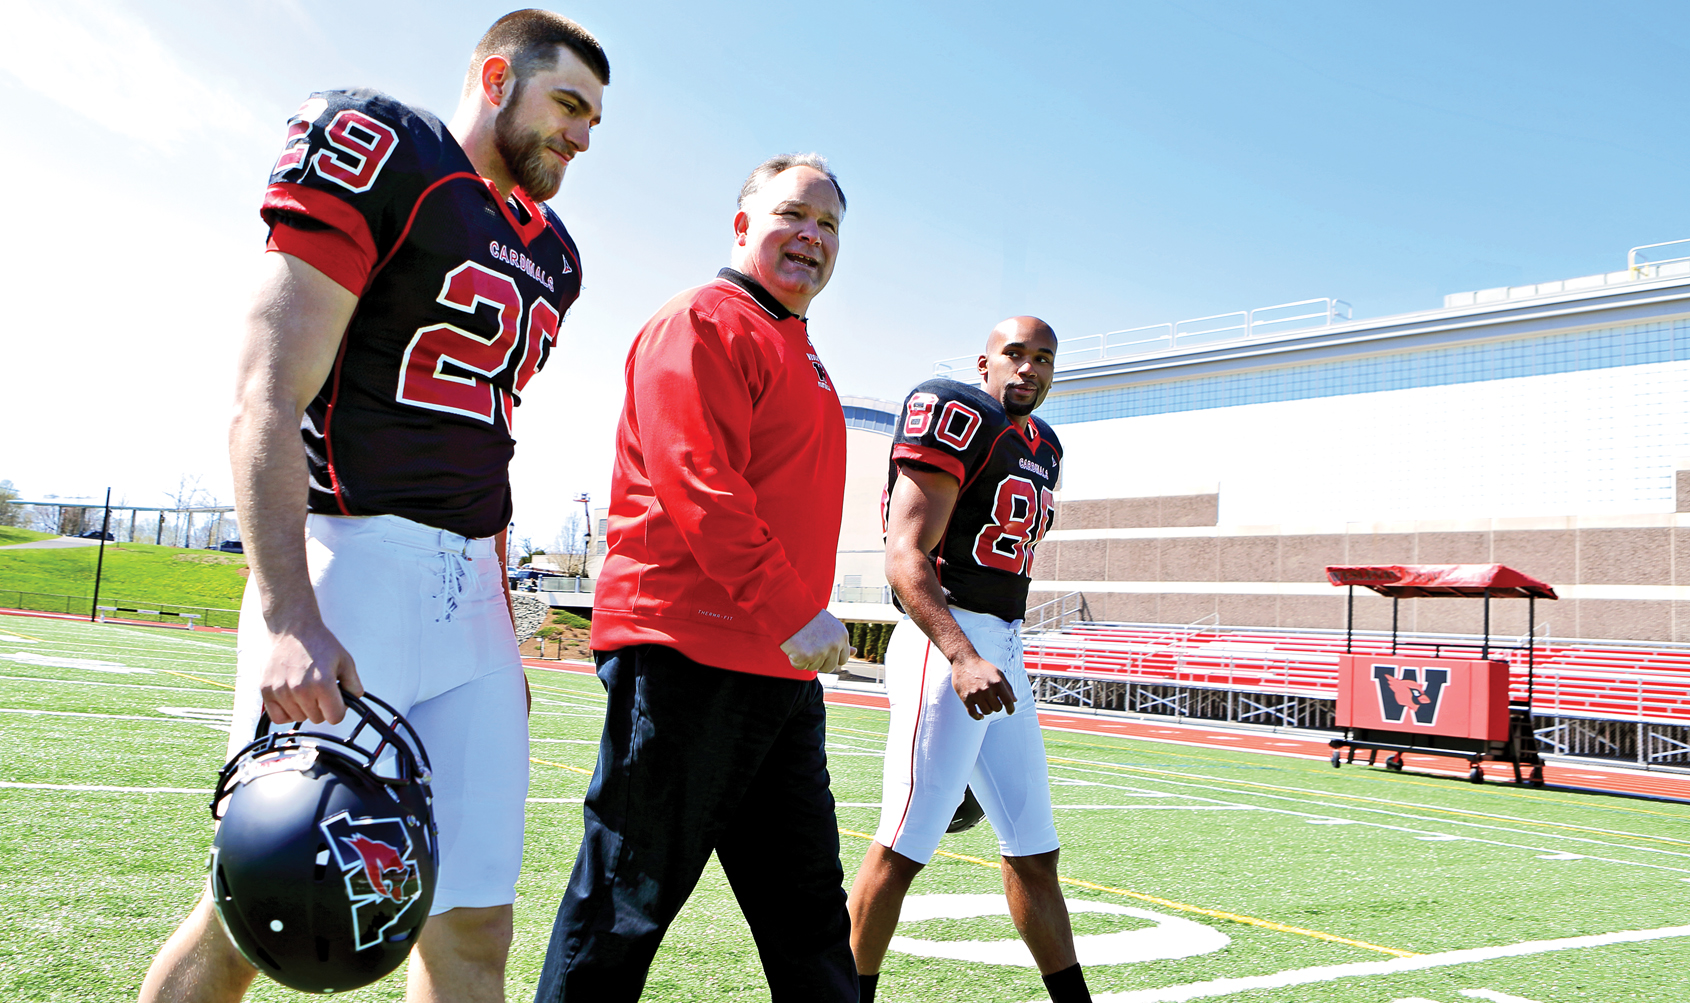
x=1608 y=701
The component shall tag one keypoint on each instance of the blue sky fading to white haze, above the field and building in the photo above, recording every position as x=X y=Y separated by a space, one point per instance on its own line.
x=1104 y=167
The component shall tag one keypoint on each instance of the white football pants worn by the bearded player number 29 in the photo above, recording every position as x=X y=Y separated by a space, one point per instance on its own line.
x=423 y=615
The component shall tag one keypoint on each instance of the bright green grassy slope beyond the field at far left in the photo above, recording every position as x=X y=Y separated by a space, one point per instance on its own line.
x=134 y=574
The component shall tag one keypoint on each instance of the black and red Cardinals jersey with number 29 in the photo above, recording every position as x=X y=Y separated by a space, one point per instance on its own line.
x=461 y=295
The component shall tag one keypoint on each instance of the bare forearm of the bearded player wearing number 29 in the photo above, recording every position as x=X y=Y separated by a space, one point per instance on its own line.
x=270 y=466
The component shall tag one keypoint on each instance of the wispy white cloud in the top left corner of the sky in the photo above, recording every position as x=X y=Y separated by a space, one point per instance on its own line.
x=97 y=60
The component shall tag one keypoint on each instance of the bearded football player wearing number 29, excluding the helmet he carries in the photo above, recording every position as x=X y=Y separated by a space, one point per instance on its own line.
x=415 y=287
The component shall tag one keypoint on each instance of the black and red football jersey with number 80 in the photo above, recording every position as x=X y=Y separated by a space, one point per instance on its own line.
x=1006 y=501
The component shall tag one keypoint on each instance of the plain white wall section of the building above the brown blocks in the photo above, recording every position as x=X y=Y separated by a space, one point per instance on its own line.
x=1591 y=442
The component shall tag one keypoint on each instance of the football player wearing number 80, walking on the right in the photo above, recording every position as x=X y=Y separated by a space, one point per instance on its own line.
x=971 y=493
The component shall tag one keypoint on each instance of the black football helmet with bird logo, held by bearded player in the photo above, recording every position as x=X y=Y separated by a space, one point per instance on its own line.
x=325 y=857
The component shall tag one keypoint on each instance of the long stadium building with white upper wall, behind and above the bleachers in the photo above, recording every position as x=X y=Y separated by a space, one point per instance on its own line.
x=1216 y=468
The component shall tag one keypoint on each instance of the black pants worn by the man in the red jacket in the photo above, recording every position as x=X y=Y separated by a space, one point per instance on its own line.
x=697 y=760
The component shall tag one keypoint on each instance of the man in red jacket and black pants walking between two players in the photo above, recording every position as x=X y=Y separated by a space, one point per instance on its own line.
x=711 y=622
